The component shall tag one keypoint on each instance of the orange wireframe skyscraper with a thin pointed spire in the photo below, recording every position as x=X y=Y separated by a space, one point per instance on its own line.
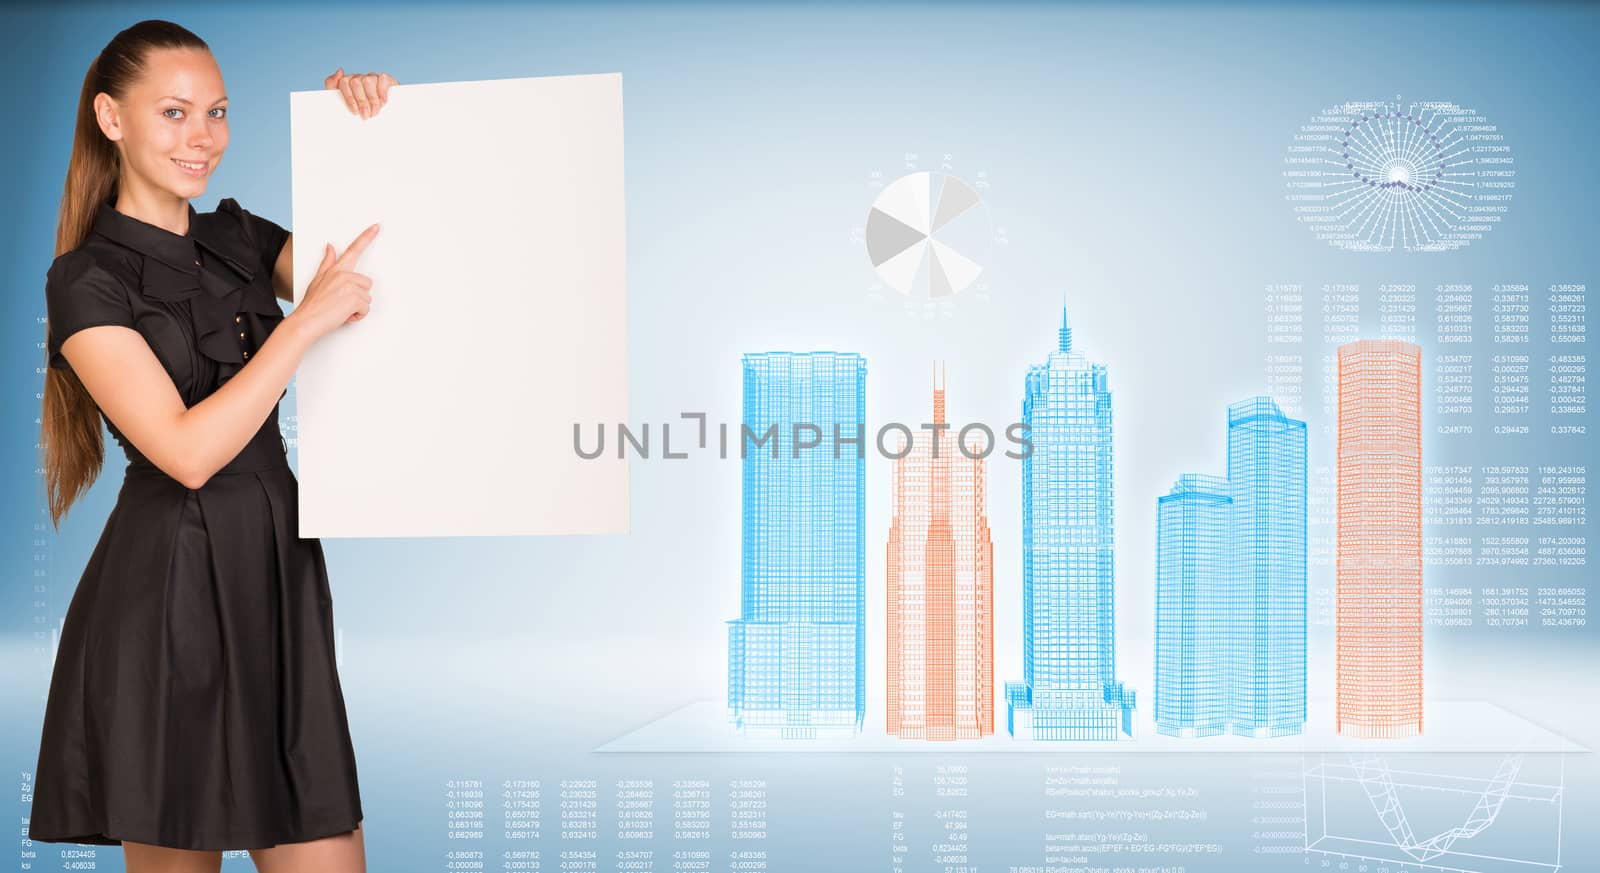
x=940 y=589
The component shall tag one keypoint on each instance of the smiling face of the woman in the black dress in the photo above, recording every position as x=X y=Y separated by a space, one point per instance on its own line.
x=172 y=127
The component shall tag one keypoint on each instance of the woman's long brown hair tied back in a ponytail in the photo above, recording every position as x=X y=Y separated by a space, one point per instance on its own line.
x=70 y=433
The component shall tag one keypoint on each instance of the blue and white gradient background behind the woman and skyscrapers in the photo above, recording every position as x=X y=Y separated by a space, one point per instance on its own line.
x=1135 y=161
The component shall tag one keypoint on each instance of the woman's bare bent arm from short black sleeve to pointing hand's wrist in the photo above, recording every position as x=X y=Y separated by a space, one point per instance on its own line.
x=134 y=389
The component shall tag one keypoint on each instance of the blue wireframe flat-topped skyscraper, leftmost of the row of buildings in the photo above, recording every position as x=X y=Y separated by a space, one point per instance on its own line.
x=796 y=653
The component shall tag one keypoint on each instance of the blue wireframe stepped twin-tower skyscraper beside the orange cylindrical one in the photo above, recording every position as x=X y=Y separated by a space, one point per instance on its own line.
x=1231 y=586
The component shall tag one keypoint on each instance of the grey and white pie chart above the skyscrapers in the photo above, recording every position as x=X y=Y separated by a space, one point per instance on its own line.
x=926 y=233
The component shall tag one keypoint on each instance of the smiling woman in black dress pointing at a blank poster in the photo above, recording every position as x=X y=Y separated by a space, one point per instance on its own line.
x=194 y=704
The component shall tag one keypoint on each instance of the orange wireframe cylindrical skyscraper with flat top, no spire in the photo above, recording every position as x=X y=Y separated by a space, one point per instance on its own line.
x=1380 y=540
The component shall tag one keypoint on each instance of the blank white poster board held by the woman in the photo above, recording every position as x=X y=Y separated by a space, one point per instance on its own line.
x=498 y=319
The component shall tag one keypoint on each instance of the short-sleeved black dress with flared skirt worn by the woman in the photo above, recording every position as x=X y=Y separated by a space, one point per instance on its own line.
x=196 y=701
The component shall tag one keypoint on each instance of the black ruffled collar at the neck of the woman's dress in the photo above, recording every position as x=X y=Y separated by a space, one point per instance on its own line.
x=214 y=266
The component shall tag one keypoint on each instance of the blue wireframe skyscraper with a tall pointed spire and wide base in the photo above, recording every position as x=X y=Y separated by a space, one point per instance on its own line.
x=1070 y=690
